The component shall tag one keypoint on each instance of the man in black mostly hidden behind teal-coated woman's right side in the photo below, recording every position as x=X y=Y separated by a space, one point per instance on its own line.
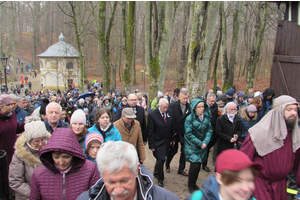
x=211 y=100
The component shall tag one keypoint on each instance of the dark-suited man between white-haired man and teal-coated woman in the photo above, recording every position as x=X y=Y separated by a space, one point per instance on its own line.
x=181 y=109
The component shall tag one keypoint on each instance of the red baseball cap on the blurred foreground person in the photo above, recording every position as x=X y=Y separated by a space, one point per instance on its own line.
x=234 y=160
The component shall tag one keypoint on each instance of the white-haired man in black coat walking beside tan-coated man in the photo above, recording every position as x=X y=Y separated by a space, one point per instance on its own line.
x=160 y=134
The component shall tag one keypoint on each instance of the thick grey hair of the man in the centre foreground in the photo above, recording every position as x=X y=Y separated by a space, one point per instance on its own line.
x=113 y=156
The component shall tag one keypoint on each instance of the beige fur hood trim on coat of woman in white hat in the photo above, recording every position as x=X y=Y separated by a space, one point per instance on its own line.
x=23 y=152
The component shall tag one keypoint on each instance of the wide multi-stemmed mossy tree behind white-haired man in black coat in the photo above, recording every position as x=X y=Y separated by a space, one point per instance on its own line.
x=157 y=57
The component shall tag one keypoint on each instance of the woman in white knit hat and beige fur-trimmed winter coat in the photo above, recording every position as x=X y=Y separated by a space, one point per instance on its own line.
x=26 y=159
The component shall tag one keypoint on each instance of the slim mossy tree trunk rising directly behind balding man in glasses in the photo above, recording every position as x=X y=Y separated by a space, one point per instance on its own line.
x=129 y=47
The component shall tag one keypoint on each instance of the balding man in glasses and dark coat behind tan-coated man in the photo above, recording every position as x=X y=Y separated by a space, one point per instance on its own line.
x=138 y=111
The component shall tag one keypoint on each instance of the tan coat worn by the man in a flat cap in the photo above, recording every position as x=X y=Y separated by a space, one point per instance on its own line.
x=134 y=137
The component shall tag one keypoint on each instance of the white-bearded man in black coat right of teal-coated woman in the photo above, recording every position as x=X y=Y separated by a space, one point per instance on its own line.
x=228 y=128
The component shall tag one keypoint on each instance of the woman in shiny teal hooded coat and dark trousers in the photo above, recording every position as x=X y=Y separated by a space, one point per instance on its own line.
x=197 y=135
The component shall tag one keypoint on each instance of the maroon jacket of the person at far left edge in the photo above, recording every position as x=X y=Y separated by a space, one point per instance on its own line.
x=9 y=128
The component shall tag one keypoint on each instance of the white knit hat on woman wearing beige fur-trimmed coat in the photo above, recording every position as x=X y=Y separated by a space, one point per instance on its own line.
x=34 y=128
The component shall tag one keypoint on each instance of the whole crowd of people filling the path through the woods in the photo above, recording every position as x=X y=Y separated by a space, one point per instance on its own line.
x=68 y=146
